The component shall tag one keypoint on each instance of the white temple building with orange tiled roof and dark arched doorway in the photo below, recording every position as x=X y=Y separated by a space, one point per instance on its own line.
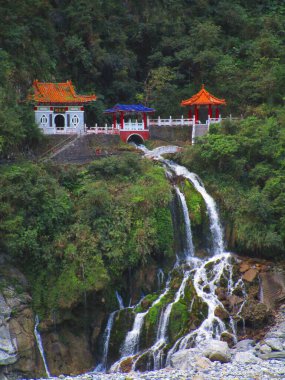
x=58 y=109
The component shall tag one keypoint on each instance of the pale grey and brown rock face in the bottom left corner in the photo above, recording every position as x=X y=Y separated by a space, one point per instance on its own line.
x=18 y=350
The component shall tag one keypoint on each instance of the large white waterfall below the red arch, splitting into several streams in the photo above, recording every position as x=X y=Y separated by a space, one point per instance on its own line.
x=205 y=275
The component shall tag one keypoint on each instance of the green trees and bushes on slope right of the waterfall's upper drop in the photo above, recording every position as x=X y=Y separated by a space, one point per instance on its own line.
x=243 y=162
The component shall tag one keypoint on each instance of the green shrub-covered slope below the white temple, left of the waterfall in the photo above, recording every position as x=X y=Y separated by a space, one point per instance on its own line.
x=74 y=230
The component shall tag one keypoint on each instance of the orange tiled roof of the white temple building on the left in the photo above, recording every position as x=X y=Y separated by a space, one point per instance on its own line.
x=59 y=93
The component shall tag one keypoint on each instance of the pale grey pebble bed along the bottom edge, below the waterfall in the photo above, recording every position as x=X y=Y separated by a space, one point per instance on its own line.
x=234 y=370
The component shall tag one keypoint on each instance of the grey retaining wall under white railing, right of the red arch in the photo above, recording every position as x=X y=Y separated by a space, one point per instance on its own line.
x=171 y=134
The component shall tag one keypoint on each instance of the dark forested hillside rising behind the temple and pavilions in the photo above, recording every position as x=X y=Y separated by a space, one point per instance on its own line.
x=157 y=52
